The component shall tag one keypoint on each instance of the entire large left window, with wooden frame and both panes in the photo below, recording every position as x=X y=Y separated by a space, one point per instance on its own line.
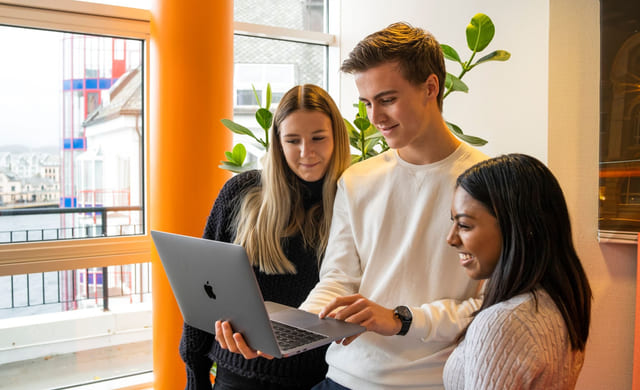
x=85 y=245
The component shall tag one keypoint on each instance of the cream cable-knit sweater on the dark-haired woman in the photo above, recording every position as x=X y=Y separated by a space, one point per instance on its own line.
x=510 y=345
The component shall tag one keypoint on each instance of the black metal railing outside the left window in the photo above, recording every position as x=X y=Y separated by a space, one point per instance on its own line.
x=72 y=289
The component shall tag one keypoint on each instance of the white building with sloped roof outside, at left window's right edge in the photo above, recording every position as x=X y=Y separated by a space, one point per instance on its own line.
x=110 y=170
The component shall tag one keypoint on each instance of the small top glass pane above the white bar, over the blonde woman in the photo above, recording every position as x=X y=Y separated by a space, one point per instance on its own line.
x=296 y=14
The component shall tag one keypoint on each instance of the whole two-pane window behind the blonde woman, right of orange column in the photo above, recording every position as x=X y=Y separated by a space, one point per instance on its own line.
x=282 y=44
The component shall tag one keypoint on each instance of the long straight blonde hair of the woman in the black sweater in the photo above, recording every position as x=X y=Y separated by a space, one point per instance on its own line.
x=275 y=210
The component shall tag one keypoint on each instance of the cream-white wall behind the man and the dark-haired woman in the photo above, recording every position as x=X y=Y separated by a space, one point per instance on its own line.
x=544 y=101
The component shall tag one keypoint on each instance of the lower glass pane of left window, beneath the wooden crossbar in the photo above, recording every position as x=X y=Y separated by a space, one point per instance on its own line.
x=76 y=327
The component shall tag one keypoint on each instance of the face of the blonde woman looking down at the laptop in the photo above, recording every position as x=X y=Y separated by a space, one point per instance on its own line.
x=307 y=143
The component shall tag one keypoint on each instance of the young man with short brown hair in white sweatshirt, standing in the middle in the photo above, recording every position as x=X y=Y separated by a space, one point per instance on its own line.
x=387 y=265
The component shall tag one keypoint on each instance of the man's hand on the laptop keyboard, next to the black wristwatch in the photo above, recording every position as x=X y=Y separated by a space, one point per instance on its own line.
x=360 y=310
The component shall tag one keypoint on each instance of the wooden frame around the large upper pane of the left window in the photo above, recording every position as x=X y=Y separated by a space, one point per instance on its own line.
x=83 y=18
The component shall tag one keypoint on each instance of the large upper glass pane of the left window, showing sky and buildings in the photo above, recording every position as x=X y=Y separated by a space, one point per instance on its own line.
x=71 y=136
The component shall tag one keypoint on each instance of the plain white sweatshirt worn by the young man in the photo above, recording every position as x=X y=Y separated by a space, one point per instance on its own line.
x=388 y=243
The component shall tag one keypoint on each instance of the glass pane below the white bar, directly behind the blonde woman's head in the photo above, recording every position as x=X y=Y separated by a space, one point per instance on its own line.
x=282 y=64
